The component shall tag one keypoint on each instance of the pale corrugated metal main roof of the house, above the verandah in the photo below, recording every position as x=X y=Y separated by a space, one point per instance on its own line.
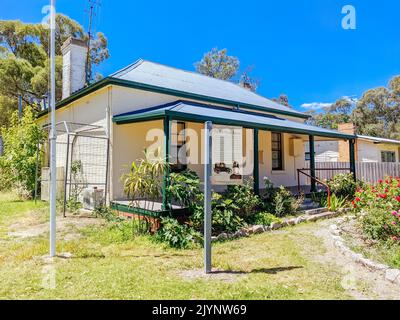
x=154 y=74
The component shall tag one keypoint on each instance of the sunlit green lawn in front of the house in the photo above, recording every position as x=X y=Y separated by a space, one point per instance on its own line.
x=279 y=265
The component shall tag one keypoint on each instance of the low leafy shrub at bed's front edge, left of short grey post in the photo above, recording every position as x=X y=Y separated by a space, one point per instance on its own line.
x=175 y=234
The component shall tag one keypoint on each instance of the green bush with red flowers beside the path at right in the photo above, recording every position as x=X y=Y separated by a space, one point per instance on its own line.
x=379 y=208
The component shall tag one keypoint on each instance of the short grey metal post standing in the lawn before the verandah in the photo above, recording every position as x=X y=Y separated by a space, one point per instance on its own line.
x=207 y=195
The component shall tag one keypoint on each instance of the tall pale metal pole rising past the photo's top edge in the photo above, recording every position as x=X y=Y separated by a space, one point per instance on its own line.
x=53 y=133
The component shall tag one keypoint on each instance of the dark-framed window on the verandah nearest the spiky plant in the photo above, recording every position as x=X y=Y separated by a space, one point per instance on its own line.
x=178 y=140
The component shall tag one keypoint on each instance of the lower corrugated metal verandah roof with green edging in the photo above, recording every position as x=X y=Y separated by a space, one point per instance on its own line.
x=191 y=111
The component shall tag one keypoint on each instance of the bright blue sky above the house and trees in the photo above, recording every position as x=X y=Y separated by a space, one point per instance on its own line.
x=296 y=47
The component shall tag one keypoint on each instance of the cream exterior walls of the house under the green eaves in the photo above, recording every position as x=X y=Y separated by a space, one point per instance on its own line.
x=127 y=141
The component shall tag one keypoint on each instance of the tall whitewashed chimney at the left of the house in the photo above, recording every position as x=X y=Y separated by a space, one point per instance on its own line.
x=74 y=53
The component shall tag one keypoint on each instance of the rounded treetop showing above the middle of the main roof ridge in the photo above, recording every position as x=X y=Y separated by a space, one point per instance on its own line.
x=218 y=64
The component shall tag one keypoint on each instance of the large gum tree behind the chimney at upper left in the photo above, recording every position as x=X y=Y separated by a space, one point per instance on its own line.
x=24 y=65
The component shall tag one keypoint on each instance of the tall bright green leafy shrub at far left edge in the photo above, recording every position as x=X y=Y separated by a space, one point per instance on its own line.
x=18 y=163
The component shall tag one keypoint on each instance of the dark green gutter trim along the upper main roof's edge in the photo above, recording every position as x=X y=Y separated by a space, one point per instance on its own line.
x=137 y=85
